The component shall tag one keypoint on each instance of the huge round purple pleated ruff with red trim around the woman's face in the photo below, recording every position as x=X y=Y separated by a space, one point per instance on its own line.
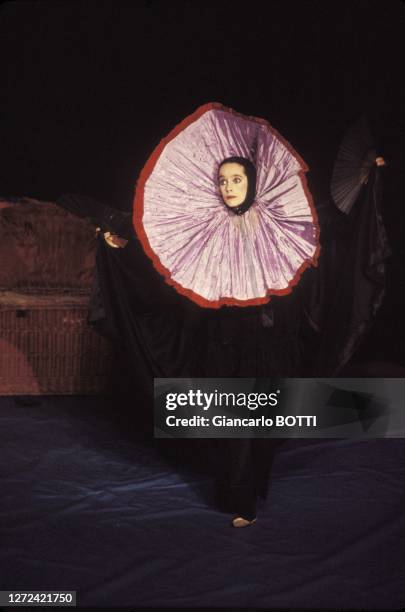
x=207 y=251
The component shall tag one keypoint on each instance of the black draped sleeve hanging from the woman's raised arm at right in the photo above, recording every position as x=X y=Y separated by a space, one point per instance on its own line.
x=343 y=295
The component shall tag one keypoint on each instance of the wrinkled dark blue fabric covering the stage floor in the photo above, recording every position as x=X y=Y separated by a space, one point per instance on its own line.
x=89 y=504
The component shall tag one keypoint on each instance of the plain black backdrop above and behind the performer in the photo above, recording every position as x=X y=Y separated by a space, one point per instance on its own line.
x=89 y=89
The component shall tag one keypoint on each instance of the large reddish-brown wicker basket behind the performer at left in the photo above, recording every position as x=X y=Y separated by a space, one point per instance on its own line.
x=46 y=344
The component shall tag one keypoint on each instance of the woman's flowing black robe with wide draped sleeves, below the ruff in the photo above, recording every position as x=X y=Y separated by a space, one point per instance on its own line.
x=313 y=331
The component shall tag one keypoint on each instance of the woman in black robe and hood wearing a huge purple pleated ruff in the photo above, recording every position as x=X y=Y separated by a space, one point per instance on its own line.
x=231 y=238
